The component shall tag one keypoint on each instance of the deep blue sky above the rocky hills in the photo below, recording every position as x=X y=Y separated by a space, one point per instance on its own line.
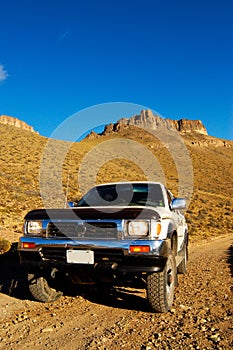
x=173 y=56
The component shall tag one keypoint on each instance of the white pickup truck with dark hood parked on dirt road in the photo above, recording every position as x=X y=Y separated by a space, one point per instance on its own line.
x=115 y=232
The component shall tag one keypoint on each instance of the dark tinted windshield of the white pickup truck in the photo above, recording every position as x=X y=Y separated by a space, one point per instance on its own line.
x=123 y=195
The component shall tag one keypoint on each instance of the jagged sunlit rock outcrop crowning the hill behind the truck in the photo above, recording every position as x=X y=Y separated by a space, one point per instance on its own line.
x=147 y=120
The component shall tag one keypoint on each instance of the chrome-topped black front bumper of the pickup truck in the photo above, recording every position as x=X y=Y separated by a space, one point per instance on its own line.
x=115 y=255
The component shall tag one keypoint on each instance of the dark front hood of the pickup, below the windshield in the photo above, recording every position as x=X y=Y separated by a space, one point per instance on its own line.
x=94 y=213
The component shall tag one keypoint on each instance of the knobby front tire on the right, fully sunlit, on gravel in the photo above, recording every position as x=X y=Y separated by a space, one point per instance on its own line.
x=160 y=286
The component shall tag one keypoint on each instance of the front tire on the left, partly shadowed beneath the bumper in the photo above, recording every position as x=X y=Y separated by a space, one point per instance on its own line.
x=40 y=289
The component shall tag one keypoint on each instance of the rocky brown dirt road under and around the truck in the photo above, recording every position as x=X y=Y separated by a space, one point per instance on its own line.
x=202 y=316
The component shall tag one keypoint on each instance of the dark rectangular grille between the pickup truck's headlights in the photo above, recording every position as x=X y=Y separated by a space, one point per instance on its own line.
x=74 y=230
